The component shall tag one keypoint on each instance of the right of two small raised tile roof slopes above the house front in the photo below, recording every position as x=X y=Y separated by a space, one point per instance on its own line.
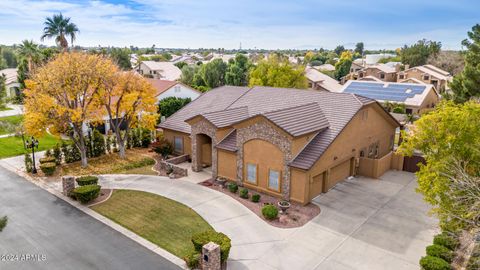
x=299 y=120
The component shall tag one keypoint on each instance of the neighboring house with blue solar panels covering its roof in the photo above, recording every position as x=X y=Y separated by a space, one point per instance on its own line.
x=417 y=98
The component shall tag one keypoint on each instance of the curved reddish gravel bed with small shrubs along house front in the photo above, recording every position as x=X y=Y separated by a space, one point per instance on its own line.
x=297 y=215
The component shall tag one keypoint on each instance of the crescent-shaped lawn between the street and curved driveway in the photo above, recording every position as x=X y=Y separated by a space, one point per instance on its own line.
x=162 y=221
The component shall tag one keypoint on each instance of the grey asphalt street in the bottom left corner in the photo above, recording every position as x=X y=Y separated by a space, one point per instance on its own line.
x=41 y=224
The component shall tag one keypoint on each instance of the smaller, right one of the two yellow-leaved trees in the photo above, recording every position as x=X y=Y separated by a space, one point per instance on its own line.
x=130 y=102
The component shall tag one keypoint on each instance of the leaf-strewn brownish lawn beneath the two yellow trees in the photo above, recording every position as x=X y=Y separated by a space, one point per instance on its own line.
x=137 y=162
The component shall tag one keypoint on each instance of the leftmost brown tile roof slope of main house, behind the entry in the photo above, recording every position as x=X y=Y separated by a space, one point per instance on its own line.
x=214 y=100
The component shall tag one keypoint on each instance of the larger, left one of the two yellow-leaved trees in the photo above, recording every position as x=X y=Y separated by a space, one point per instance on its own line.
x=60 y=95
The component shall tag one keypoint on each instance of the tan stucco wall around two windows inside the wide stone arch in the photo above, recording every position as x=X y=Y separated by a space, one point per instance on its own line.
x=266 y=156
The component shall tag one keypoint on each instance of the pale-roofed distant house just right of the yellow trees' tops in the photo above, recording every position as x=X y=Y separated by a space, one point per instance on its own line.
x=159 y=70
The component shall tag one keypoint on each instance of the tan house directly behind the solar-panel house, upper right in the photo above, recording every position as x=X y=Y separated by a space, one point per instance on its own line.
x=426 y=74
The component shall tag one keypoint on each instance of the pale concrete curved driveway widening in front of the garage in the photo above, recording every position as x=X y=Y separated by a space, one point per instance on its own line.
x=364 y=224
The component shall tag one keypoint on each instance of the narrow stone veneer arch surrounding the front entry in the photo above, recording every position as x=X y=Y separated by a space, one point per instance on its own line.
x=204 y=127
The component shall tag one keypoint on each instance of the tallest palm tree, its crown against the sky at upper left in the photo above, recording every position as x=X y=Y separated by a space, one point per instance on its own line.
x=60 y=28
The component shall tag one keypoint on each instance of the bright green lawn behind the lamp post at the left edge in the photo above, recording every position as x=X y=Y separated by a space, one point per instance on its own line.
x=13 y=146
